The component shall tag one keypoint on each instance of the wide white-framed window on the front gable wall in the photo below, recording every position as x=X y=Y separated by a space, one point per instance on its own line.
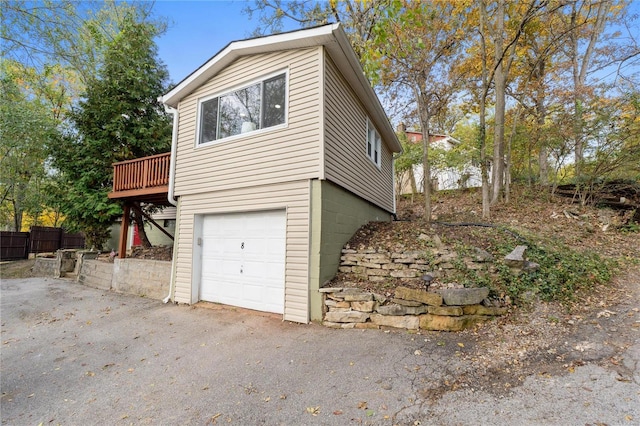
x=258 y=106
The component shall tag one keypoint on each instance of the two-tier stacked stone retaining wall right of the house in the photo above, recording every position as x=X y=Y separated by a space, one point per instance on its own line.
x=442 y=309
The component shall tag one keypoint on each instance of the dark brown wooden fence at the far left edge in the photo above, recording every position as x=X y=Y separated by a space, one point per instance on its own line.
x=41 y=239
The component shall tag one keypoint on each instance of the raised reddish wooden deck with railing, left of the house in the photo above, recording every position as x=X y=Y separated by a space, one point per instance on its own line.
x=143 y=179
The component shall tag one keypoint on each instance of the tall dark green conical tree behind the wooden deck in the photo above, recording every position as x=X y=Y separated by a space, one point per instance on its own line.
x=119 y=119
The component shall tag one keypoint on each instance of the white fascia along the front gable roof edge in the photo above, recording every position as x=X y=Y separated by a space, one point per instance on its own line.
x=291 y=40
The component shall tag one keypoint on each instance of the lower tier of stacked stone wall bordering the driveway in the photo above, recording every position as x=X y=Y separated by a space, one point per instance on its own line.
x=446 y=310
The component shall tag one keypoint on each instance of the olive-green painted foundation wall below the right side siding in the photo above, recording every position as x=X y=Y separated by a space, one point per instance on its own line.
x=336 y=215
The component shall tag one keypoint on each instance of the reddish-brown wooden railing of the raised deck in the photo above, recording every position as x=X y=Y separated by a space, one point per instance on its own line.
x=141 y=173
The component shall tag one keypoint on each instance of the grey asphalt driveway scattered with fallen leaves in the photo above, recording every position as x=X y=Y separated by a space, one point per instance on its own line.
x=74 y=355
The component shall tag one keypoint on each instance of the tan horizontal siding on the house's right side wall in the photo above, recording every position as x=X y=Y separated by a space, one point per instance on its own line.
x=346 y=160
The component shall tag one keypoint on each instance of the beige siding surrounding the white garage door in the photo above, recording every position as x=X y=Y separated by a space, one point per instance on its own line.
x=292 y=196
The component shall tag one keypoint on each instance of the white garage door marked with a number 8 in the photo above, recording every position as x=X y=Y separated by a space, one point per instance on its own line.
x=243 y=260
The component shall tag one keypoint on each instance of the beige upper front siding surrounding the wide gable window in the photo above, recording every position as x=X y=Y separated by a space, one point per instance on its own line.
x=269 y=156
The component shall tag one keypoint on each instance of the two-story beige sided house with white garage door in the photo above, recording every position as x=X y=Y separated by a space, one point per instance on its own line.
x=281 y=151
